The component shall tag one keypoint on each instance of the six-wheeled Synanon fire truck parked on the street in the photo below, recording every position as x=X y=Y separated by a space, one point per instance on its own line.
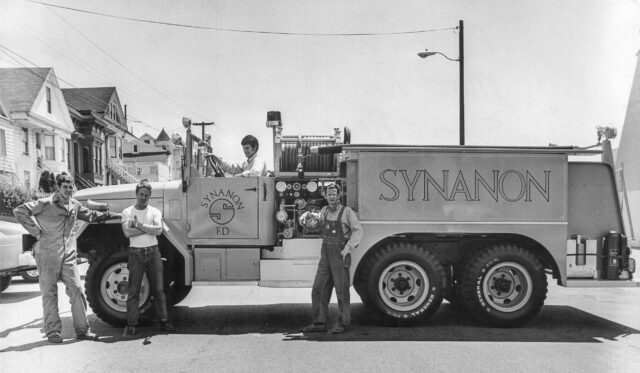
x=483 y=227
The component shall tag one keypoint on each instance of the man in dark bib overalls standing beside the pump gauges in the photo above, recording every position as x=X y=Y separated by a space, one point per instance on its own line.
x=341 y=233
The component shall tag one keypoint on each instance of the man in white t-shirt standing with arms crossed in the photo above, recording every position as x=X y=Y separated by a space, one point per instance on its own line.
x=142 y=223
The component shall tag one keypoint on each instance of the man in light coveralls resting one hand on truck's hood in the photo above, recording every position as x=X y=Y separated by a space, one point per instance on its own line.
x=56 y=255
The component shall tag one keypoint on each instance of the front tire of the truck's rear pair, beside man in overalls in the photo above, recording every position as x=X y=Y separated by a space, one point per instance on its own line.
x=404 y=282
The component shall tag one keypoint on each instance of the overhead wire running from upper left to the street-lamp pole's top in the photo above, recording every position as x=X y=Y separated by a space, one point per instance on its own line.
x=240 y=30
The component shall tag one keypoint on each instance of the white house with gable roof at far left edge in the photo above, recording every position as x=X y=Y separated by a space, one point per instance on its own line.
x=35 y=126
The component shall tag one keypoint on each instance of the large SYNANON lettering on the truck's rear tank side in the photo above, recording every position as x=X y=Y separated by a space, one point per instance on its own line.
x=509 y=185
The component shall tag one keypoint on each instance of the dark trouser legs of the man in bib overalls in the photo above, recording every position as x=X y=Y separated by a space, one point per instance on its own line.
x=331 y=272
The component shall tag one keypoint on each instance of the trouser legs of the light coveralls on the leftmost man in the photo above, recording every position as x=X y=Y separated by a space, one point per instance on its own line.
x=52 y=268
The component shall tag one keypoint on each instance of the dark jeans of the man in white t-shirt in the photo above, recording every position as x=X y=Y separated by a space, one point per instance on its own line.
x=141 y=260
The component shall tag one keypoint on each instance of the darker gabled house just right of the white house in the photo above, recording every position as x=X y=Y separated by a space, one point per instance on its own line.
x=100 y=126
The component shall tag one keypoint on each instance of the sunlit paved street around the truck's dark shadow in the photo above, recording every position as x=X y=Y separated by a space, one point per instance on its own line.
x=251 y=329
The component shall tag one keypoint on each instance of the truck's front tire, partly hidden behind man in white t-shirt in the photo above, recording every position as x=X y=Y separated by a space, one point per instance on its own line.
x=106 y=288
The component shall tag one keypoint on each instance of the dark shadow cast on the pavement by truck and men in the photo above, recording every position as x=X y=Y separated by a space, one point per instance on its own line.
x=553 y=324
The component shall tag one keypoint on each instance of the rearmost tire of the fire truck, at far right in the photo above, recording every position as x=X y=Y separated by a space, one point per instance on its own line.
x=504 y=286
